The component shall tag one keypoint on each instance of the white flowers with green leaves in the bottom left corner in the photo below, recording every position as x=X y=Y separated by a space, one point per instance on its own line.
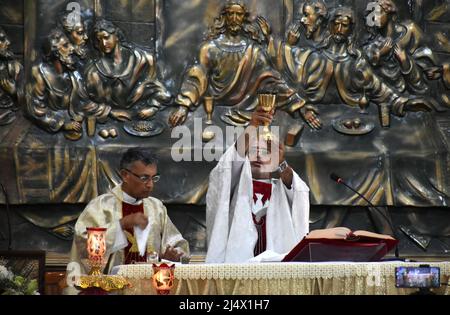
x=11 y=284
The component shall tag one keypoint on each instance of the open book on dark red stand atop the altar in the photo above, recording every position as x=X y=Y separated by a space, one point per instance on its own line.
x=341 y=244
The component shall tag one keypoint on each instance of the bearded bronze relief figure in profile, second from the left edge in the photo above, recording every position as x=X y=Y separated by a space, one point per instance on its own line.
x=56 y=99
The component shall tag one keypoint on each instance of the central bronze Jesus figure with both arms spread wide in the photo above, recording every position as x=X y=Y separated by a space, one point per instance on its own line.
x=232 y=68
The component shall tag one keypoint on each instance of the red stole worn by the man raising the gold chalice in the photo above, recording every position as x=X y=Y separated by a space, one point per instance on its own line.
x=264 y=189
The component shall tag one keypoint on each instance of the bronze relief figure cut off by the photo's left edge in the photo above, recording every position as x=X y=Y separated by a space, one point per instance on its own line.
x=11 y=81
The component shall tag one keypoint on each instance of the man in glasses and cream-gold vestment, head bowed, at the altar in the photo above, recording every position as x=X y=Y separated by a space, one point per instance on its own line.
x=128 y=208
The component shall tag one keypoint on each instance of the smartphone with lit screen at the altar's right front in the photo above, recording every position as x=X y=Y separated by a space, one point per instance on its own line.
x=417 y=277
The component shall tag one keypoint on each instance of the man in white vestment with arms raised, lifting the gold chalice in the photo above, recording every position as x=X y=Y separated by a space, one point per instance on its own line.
x=256 y=203
